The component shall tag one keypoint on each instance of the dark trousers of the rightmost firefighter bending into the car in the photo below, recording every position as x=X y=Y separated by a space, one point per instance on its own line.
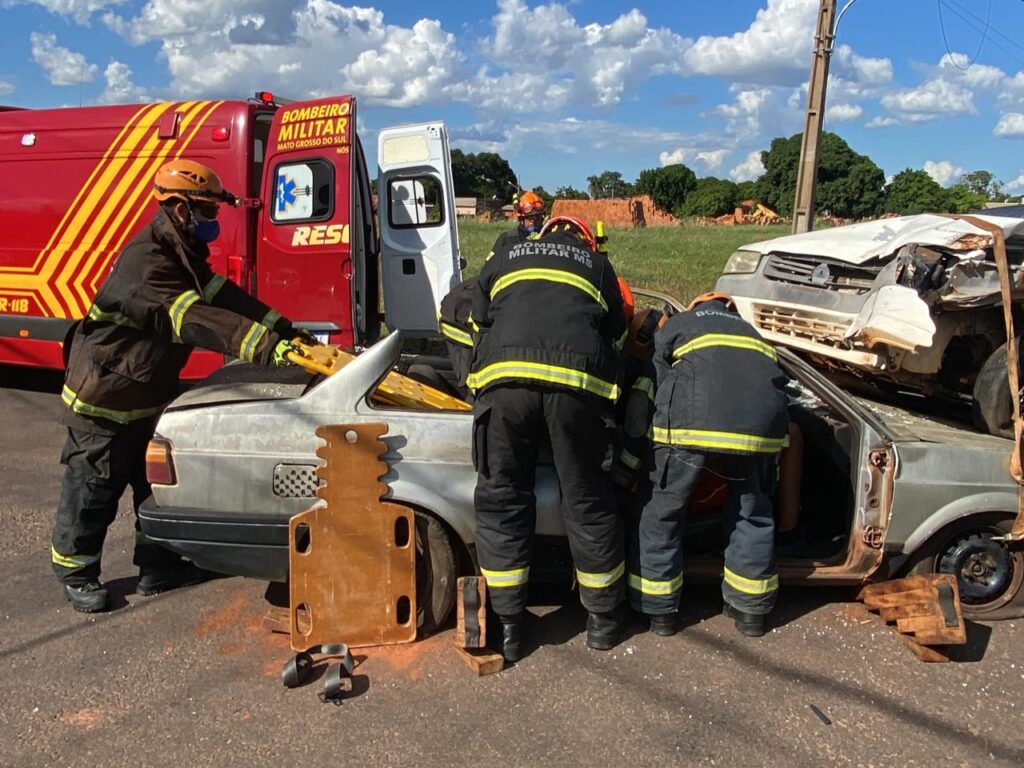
x=750 y=582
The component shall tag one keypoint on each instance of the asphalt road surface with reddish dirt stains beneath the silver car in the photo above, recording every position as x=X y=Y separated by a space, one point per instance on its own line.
x=191 y=678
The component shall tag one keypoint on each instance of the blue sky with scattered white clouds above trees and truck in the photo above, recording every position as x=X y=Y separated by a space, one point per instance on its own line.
x=564 y=91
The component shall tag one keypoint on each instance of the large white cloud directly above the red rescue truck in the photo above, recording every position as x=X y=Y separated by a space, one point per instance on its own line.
x=308 y=48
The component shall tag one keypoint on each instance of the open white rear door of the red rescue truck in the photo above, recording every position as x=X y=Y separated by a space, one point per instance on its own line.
x=420 y=261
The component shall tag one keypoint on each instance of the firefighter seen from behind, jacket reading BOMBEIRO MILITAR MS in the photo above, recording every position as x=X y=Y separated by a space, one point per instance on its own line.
x=546 y=365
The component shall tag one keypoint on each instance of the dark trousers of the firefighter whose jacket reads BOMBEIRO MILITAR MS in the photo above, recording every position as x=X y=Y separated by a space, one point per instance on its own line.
x=510 y=425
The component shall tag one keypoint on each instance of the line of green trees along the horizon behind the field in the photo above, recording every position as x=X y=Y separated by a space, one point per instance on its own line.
x=850 y=186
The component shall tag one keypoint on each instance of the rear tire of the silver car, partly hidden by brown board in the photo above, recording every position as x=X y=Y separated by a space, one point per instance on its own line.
x=436 y=575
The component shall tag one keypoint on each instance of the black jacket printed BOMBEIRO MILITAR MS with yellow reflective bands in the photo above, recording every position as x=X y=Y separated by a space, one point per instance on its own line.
x=548 y=312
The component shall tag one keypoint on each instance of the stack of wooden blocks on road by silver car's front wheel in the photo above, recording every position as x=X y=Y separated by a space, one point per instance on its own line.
x=926 y=611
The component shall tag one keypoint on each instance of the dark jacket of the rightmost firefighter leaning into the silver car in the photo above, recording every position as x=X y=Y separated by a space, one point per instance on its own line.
x=719 y=386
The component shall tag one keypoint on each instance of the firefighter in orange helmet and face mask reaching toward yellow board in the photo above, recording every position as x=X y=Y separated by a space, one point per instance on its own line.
x=160 y=302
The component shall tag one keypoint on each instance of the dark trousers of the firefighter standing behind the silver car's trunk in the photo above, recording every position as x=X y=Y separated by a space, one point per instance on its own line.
x=101 y=463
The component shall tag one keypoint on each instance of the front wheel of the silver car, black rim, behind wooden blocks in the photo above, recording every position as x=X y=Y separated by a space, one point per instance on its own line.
x=990 y=575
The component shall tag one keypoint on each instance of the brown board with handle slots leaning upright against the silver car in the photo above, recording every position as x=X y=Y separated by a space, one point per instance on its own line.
x=353 y=563
